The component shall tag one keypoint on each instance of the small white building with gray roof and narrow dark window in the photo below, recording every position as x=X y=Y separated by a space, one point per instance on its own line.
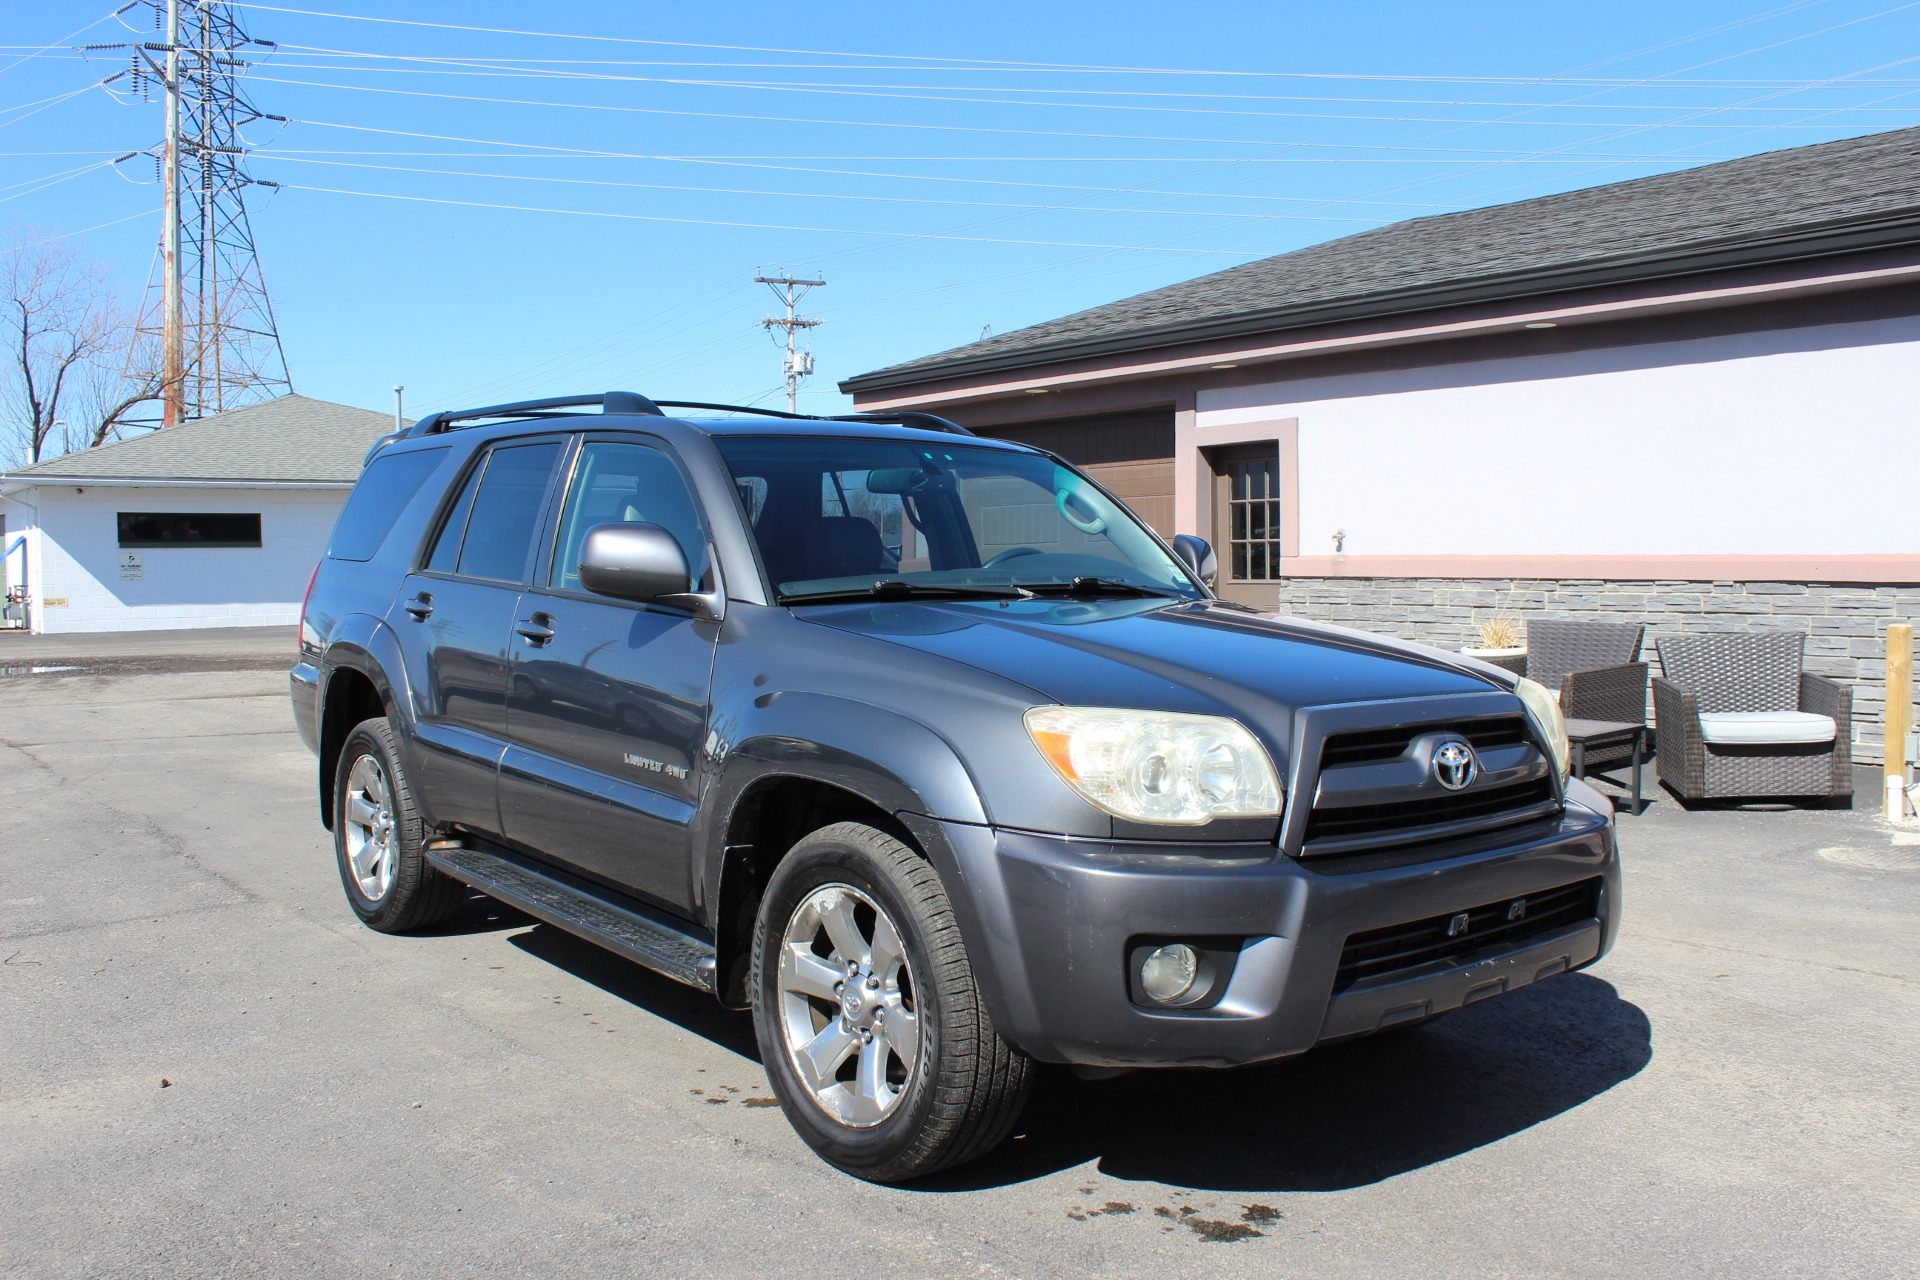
x=210 y=525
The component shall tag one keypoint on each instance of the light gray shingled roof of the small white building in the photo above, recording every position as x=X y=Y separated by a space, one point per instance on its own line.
x=287 y=440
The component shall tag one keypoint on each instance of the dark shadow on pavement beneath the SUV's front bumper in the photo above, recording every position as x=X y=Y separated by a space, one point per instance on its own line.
x=1339 y=1118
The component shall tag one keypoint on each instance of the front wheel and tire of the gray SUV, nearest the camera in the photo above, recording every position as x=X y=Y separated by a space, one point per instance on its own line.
x=965 y=1087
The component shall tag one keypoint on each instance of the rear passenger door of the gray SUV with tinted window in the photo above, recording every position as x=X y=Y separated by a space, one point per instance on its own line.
x=456 y=619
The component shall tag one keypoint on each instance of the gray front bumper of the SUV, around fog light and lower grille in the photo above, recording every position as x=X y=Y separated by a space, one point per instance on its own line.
x=1049 y=924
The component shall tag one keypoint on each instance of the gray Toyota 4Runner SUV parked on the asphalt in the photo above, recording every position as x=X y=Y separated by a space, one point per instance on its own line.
x=921 y=747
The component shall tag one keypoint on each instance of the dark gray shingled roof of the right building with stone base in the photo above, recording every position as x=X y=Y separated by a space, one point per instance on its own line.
x=1804 y=202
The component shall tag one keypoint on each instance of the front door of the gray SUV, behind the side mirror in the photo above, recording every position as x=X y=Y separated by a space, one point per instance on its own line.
x=608 y=705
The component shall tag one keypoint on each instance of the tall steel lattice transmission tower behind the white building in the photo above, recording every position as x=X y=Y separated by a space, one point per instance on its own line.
x=208 y=339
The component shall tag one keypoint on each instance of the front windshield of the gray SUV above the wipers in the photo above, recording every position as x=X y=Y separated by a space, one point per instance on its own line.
x=836 y=517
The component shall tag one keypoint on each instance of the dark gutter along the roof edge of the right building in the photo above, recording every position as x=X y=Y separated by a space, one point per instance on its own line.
x=1808 y=243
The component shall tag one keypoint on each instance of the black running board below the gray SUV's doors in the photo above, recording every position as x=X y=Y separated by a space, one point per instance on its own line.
x=631 y=930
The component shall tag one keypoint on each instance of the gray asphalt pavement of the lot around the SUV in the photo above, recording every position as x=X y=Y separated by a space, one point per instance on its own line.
x=208 y=1068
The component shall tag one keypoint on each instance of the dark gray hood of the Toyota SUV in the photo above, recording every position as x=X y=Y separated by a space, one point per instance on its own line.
x=1166 y=657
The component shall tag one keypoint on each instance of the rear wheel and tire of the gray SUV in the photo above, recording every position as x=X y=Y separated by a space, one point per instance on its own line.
x=391 y=886
